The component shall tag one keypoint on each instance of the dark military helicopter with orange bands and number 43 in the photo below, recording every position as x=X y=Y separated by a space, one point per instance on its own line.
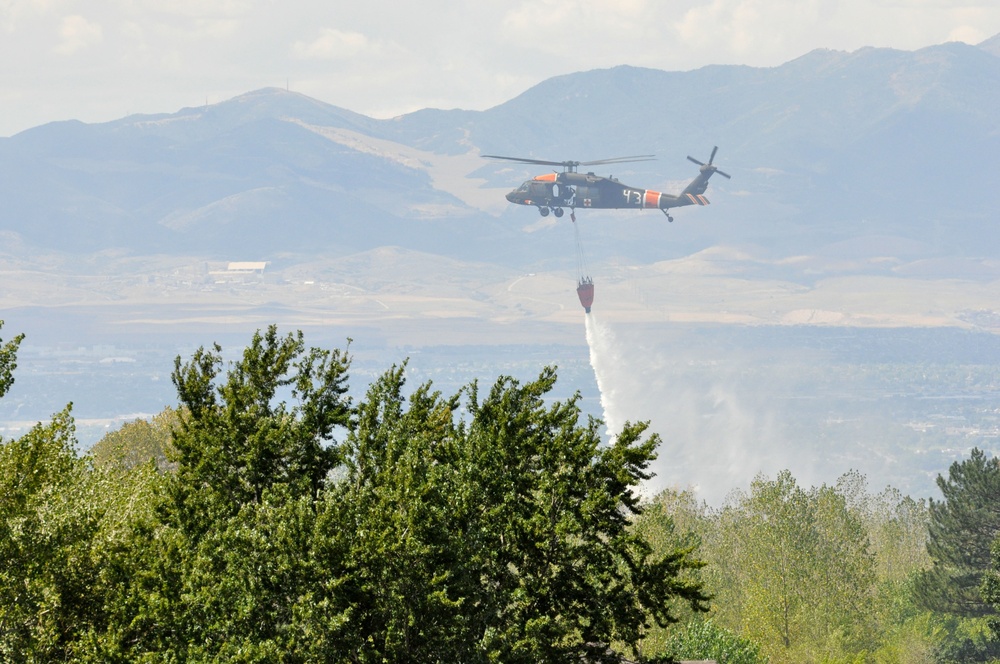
x=553 y=192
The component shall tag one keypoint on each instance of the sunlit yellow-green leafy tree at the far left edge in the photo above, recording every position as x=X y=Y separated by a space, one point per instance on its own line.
x=69 y=541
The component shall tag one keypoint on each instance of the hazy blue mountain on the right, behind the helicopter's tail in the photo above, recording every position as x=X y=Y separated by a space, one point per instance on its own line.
x=827 y=146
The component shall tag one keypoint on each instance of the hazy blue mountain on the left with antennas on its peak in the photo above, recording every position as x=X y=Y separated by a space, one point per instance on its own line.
x=247 y=175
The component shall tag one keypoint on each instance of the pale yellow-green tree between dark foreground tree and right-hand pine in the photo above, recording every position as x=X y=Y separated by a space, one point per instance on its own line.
x=793 y=570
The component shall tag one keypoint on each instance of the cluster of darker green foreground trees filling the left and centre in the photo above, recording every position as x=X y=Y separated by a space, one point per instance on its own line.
x=291 y=524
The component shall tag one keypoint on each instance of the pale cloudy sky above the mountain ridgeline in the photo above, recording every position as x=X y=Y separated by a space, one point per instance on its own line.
x=100 y=60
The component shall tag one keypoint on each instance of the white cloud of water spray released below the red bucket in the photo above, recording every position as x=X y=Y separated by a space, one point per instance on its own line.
x=720 y=422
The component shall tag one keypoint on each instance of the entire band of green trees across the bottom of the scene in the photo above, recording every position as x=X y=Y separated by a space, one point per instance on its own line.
x=269 y=517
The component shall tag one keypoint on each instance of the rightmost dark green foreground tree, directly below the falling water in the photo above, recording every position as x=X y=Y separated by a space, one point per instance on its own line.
x=568 y=568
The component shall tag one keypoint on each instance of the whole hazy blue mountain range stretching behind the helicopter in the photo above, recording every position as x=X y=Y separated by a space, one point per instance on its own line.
x=828 y=151
